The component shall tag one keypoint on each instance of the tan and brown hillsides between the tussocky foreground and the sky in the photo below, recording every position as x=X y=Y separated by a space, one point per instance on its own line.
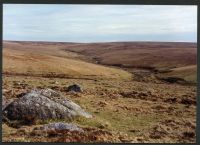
x=111 y=60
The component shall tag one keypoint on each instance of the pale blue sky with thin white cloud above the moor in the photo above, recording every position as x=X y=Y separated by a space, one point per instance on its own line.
x=99 y=23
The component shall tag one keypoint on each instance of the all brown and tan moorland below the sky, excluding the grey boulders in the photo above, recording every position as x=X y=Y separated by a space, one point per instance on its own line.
x=138 y=92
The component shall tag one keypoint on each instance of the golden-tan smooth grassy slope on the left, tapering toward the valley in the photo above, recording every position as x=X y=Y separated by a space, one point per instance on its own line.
x=44 y=61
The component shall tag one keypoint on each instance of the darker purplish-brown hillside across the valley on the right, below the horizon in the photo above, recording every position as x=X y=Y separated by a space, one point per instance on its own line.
x=179 y=58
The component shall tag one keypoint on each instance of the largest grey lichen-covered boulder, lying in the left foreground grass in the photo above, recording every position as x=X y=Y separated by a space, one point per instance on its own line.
x=43 y=104
